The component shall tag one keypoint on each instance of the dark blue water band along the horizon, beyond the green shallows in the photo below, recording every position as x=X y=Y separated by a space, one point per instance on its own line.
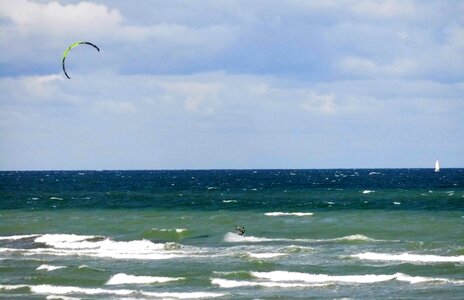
x=416 y=189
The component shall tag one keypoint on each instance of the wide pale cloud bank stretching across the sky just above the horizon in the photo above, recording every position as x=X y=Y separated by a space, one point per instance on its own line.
x=175 y=121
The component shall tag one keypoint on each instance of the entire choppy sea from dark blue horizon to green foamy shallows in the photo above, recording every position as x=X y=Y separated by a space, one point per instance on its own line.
x=171 y=234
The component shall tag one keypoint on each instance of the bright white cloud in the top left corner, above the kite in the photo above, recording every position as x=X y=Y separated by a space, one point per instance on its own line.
x=87 y=19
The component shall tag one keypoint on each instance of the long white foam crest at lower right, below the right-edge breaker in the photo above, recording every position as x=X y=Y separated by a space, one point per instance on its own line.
x=284 y=276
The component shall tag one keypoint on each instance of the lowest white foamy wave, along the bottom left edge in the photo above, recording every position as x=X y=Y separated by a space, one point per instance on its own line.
x=45 y=289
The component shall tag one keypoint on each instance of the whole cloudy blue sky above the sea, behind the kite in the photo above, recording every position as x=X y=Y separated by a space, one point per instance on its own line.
x=231 y=84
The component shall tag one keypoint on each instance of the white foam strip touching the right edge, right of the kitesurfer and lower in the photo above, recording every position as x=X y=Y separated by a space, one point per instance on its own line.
x=407 y=257
